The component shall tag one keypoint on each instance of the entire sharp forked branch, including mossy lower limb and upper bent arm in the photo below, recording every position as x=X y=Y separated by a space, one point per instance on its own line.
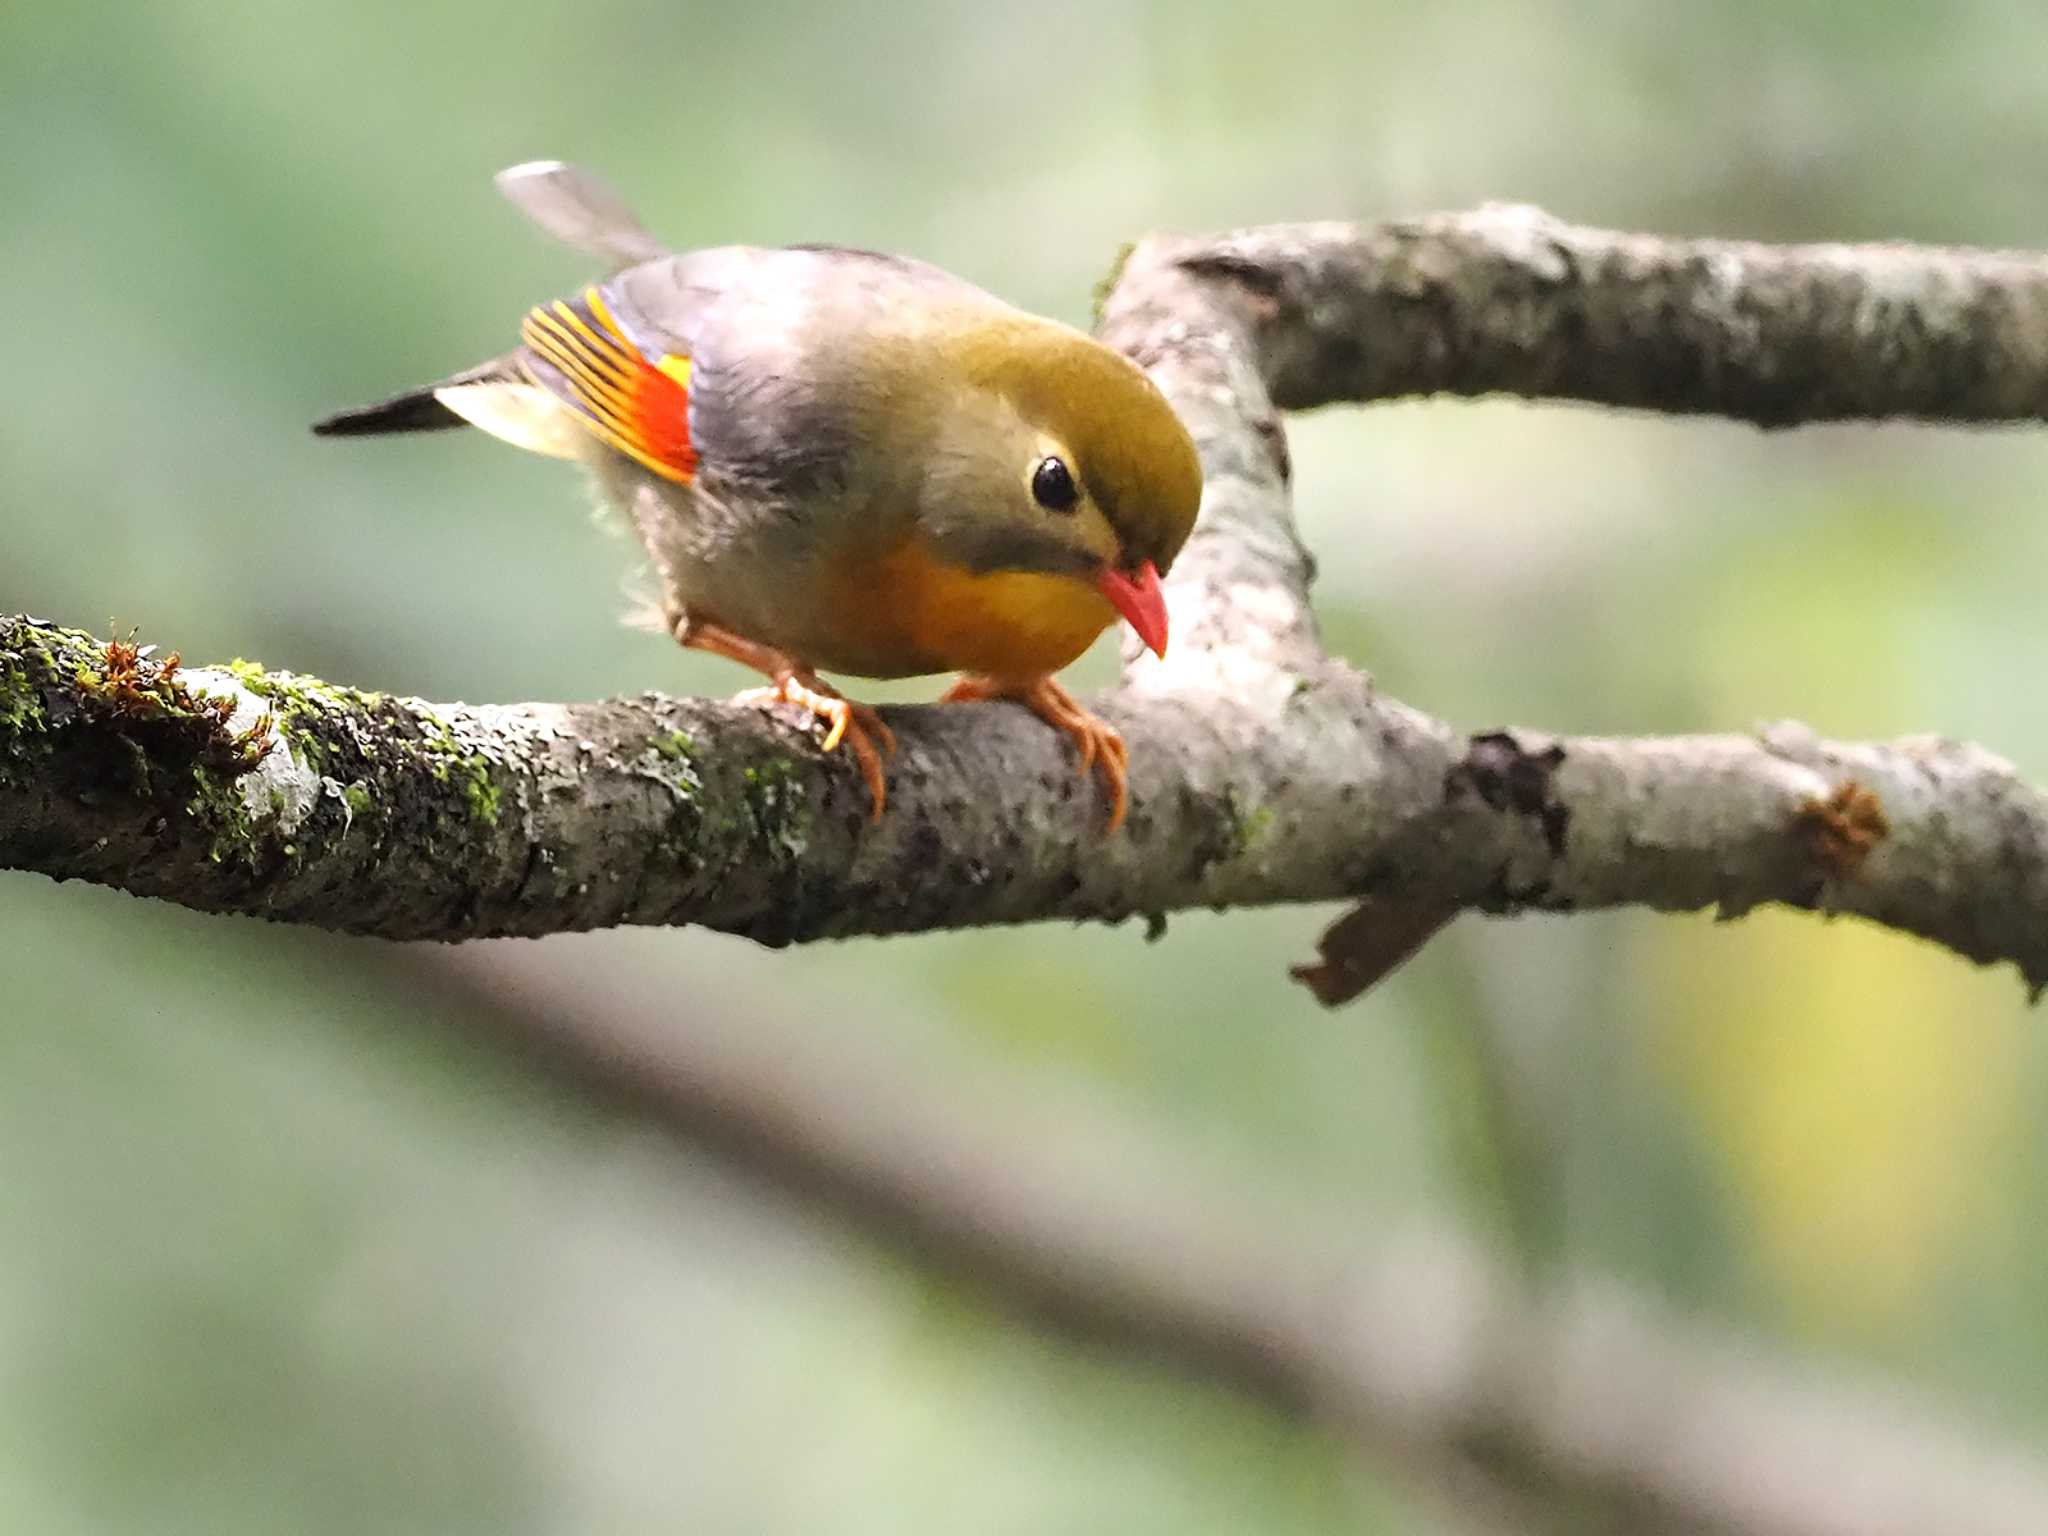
x=1263 y=771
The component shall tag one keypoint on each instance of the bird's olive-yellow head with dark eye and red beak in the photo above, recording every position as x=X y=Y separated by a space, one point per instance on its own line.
x=1060 y=460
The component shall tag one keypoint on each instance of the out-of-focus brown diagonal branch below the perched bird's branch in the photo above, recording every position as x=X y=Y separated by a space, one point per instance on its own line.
x=1570 y=1394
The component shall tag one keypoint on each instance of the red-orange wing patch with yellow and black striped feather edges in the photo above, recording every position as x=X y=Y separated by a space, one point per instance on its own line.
x=581 y=355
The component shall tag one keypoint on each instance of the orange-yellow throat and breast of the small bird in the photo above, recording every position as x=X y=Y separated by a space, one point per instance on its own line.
x=908 y=613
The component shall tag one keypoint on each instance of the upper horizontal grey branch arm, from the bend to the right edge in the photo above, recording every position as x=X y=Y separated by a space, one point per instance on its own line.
x=1510 y=300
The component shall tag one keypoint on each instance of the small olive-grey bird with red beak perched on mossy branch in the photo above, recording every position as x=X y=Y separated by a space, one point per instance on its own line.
x=843 y=462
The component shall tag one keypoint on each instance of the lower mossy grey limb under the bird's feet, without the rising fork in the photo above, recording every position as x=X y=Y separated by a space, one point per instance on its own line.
x=237 y=790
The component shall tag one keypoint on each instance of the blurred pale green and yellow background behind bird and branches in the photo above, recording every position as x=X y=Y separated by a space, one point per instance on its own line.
x=284 y=1252
